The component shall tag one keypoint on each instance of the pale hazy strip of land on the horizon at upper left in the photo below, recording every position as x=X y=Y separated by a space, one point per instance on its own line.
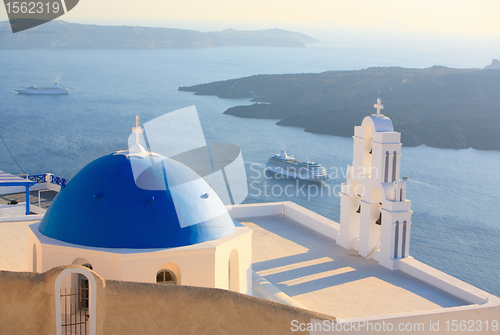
x=65 y=35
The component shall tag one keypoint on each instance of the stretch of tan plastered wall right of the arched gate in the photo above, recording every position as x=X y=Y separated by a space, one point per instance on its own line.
x=155 y=309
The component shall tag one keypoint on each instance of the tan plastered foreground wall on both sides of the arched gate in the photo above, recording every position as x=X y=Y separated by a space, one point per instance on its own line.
x=27 y=306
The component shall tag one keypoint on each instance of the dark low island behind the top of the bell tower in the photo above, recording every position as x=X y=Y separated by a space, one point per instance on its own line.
x=438 y=106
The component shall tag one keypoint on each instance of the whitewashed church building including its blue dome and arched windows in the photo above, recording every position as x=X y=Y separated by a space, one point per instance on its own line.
x=167 y=226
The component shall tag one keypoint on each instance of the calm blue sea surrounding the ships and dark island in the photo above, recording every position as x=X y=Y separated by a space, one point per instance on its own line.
x=455 y=193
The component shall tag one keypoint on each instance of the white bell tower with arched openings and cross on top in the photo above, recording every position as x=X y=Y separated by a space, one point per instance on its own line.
x=374 y=212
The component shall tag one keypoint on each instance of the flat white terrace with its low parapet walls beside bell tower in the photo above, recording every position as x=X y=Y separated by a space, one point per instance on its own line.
x=294 y=250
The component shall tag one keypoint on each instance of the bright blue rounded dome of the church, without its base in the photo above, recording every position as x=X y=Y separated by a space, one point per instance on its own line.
x=112 y=205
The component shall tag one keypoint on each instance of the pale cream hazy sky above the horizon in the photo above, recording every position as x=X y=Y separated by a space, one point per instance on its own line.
x=448 y=16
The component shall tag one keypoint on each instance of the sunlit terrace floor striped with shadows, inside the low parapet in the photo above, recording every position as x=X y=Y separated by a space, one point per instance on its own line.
x=329 y=279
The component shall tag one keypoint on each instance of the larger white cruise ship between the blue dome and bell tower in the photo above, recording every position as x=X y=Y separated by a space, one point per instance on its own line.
x=289 y=166
